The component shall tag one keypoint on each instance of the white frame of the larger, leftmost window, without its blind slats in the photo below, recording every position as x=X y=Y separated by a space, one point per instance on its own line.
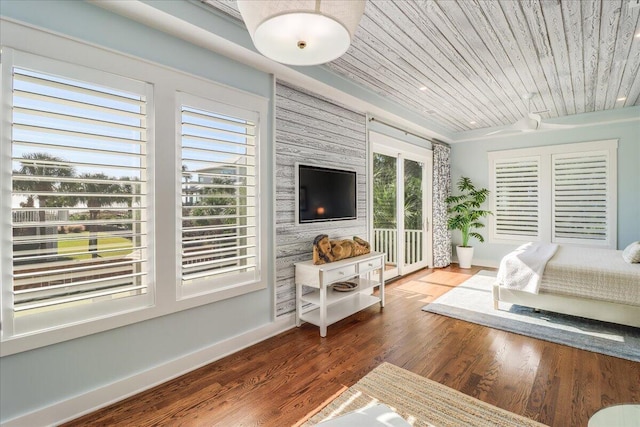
x=14 y=325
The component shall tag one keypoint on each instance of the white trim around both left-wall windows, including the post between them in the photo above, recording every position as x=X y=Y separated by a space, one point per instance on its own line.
x=166 y=83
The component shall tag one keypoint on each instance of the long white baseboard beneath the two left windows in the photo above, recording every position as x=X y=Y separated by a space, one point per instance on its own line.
x=99 y=398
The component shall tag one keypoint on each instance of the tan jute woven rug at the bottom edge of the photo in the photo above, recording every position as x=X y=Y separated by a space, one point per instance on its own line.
x=418 y=400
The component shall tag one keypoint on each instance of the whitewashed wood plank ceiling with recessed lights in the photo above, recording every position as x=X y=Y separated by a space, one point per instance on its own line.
x=466 y=64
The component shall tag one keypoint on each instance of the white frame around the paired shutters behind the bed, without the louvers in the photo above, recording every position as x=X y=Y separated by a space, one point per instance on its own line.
x=546 y=190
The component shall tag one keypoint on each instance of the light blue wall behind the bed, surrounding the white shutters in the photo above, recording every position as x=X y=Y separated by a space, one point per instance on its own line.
x=471 y=159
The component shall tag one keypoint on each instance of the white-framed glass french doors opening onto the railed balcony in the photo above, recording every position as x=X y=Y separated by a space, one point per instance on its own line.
x=401 y=207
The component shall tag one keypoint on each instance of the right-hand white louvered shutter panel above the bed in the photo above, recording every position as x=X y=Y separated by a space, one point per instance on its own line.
x=580 y=186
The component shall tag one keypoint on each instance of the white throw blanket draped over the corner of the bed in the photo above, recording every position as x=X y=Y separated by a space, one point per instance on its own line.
x=522 y=269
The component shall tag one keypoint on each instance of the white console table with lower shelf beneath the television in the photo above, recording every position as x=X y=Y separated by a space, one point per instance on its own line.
x=325 y=306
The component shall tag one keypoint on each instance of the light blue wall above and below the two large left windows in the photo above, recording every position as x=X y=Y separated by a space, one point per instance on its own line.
x=38 y=378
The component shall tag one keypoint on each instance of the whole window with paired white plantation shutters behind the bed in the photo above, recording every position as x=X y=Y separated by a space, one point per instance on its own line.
x=561 y=193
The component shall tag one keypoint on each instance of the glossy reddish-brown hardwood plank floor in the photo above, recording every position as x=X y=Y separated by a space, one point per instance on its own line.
x=284 y=379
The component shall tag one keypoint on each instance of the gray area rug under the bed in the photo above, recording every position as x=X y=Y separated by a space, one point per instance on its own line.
x=472 y=301
